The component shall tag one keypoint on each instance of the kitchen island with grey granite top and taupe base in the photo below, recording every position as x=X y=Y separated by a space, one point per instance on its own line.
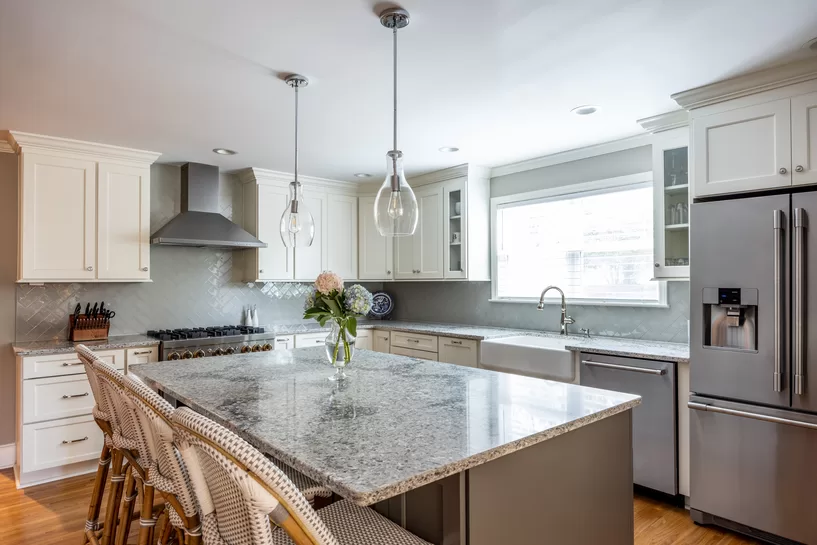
x=457 y=455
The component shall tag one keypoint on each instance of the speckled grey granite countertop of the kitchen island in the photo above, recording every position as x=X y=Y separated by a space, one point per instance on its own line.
x=397 y=424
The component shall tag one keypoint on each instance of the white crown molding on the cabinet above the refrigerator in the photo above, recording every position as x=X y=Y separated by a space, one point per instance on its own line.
x=748 y=84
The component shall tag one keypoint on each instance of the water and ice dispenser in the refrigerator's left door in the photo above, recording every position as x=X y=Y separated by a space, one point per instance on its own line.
x=730 y=318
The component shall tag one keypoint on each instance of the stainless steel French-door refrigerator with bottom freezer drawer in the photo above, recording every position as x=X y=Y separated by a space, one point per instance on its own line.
x=753 y=365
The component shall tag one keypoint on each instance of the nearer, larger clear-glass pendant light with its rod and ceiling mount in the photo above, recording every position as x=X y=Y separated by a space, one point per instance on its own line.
x=395 y=208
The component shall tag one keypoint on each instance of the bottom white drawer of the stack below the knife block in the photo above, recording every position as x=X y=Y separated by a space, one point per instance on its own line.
x=60 y=442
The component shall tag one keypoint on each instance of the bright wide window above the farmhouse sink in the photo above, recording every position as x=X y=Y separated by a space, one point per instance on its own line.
x=596 y=243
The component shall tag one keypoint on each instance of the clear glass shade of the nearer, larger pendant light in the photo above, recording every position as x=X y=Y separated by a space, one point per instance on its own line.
x=395 y=207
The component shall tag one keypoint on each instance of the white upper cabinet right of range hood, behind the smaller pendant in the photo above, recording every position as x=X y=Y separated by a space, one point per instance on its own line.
x=333 y=206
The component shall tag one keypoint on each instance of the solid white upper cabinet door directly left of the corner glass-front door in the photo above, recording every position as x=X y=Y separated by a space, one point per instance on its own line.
x=428 y=254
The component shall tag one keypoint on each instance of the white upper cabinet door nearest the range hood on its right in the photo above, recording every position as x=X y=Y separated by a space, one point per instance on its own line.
x=275 y=262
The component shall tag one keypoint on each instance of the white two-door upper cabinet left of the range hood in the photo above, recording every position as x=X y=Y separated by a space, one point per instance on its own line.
x=84 y=211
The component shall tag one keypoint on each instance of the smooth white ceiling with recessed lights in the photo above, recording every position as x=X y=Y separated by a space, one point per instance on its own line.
x=496 y=78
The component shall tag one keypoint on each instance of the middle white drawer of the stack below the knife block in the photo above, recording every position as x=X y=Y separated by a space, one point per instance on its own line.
x=56 y=397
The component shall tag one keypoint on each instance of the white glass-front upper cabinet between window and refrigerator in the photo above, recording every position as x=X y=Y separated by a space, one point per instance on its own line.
x=670 y=156
